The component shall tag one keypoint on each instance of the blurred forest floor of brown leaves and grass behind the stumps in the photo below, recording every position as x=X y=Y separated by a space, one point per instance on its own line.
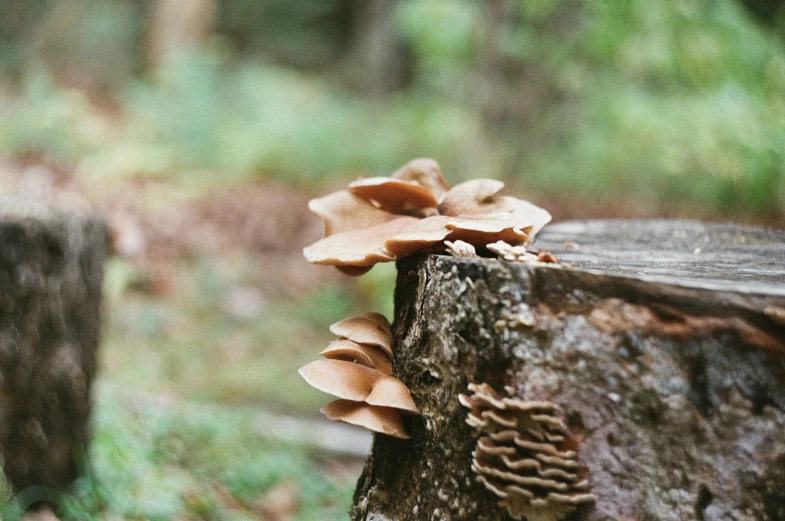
x=210 y=310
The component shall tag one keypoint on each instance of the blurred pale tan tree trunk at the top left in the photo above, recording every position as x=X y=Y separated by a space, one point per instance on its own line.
x=177 y=26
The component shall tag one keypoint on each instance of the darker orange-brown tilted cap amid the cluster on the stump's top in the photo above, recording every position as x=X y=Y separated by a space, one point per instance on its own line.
x=394 y=195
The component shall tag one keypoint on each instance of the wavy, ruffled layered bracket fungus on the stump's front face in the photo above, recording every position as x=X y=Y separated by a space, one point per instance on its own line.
x=526 y=456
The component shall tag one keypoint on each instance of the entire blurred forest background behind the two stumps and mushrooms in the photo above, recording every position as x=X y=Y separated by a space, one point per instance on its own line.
x=201 y=128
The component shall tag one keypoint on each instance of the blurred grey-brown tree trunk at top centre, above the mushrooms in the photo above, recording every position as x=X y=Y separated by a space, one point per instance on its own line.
x=377 y=48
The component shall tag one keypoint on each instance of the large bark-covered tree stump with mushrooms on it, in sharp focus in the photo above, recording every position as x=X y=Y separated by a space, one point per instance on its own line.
x=663 y=342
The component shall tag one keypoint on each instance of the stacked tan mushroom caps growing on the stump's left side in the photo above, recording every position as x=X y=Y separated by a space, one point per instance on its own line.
x=358 y=370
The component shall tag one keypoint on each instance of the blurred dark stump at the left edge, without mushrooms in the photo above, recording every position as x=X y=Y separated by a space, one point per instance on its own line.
x=51 y=266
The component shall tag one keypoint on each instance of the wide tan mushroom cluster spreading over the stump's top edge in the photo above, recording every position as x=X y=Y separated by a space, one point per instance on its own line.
x=383 y=219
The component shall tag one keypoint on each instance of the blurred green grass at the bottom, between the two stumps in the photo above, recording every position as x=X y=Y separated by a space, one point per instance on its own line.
x=171 y=461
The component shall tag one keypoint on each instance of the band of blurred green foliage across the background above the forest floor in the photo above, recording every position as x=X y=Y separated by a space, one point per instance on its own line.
x=661 y=100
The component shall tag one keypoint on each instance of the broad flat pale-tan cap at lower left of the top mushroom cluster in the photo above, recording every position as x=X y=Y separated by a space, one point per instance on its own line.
x=362 y=247
